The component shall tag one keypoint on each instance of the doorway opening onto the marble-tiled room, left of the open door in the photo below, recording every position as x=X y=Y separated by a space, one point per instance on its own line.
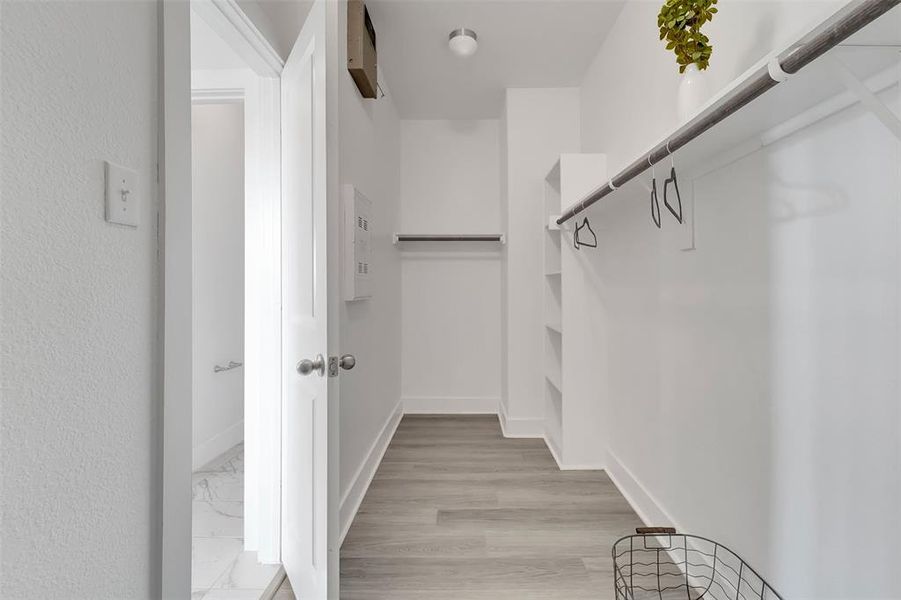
x=235 y=337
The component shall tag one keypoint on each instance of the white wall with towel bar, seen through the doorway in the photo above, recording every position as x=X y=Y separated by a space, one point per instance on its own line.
x=217 y=156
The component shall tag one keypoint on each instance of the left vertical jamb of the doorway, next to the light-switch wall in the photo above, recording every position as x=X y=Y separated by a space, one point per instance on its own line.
x=176 y=308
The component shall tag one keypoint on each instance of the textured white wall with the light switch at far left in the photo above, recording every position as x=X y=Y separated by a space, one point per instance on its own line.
x=80 y=427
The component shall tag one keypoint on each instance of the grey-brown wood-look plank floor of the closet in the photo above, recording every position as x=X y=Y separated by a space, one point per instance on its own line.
x=458 y=512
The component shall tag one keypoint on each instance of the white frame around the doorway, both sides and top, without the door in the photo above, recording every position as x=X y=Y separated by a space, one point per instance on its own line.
x=262 y=303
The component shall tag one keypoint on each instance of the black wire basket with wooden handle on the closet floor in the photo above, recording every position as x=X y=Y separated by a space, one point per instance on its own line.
x=660 y=564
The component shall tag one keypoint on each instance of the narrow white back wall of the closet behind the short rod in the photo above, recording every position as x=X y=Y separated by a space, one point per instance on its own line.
x=450 y=183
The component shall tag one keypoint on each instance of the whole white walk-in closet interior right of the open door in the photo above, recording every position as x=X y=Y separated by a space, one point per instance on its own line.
x=623 y=307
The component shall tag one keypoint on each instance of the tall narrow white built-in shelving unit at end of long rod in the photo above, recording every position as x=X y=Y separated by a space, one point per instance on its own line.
x=571 y=394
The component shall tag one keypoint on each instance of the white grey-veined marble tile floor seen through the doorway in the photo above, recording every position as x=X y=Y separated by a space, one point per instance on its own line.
x=220 y=569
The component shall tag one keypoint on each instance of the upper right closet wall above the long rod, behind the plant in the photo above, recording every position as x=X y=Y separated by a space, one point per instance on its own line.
x=629 y=90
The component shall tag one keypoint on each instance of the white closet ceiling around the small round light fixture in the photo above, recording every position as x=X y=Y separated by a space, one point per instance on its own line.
x=522 y=43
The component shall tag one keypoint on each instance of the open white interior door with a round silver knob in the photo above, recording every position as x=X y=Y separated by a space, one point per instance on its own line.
x=304 y=325
